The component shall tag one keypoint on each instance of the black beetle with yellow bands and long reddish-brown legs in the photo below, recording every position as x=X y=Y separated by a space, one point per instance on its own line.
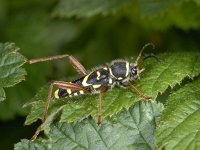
x=119 y=72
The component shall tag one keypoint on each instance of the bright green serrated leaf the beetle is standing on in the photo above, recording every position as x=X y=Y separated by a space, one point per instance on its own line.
x=174 y=67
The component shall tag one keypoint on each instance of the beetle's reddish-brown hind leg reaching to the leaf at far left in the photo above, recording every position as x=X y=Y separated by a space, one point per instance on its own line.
x=73 y=61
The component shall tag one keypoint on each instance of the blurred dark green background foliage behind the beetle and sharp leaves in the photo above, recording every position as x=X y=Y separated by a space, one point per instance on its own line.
x=95 y=32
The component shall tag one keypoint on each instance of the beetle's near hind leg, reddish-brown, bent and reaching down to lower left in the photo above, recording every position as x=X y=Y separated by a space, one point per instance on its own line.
x=59 y=84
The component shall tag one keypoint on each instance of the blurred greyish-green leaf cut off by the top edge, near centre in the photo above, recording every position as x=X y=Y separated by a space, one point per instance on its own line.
x=87 y=8
